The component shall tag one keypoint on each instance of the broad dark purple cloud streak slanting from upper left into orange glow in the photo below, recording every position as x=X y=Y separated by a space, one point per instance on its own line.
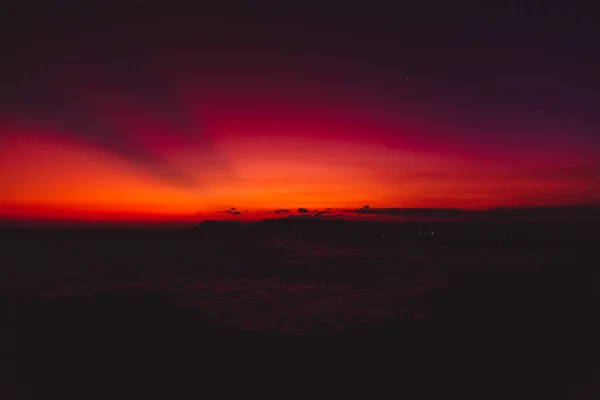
x=93 y=75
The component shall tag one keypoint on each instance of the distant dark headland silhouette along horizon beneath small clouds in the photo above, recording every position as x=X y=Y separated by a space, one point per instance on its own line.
x=534 y=235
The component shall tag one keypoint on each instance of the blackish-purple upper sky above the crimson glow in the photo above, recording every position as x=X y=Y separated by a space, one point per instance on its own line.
x=522 y=59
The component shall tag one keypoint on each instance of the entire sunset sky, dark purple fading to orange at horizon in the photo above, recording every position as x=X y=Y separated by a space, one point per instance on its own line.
x=130 y=114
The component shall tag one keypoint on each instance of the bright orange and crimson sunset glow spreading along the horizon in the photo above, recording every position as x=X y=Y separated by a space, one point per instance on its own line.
x=266 y=164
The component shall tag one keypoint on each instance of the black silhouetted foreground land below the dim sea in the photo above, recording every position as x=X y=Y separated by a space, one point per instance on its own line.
x=484 y=333
